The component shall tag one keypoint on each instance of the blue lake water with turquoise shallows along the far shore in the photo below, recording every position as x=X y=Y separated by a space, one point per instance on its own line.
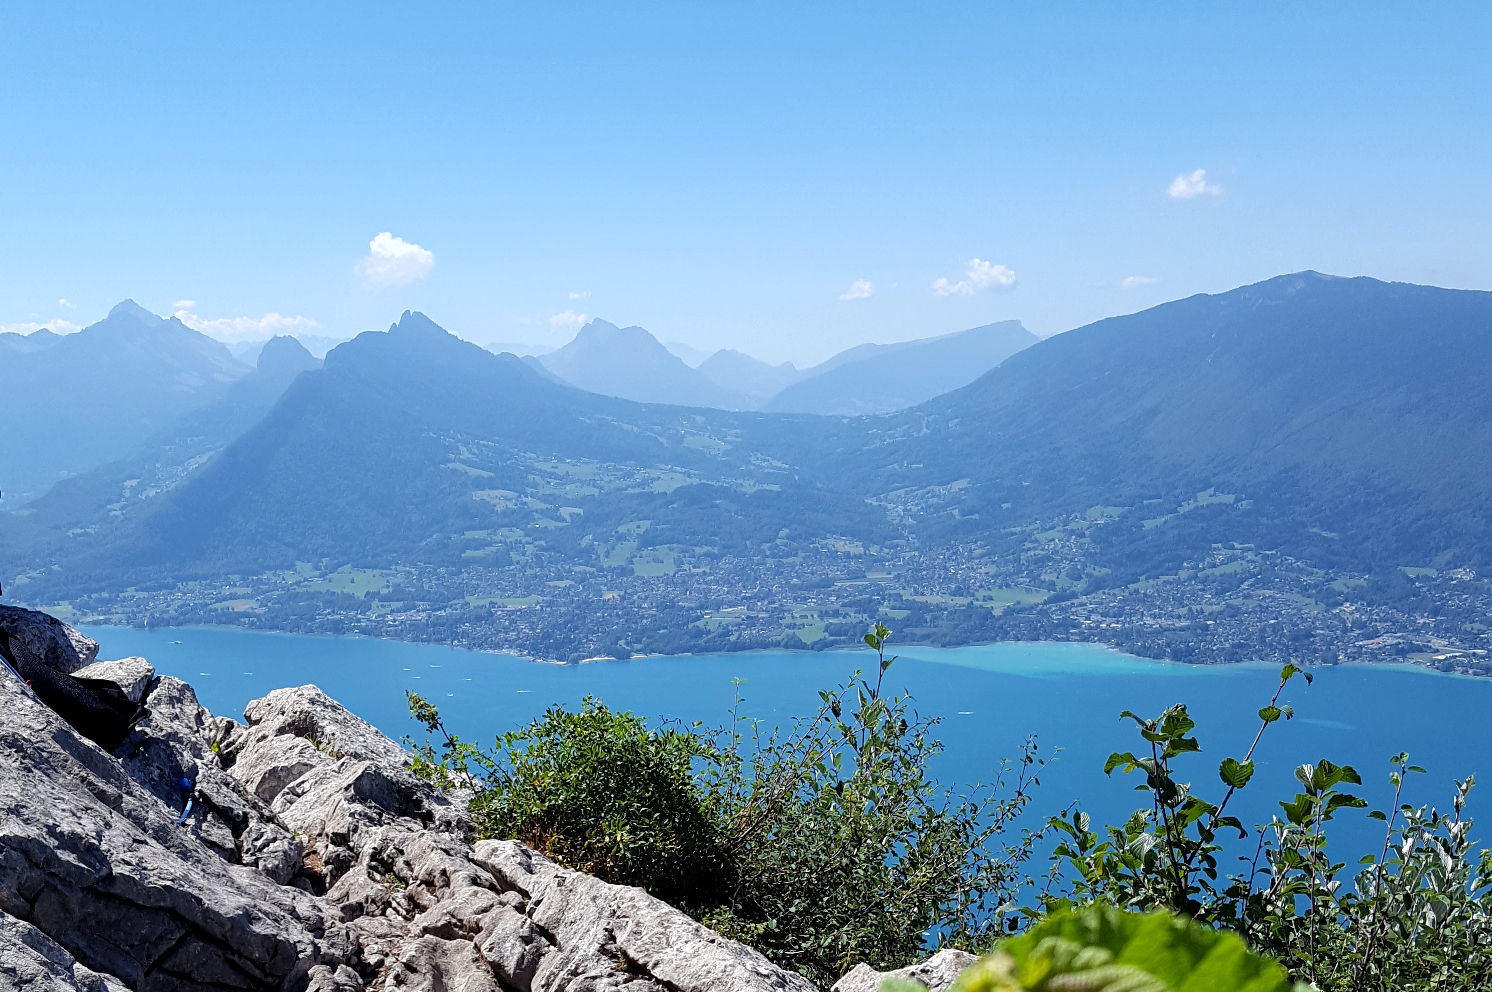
x=990 y=697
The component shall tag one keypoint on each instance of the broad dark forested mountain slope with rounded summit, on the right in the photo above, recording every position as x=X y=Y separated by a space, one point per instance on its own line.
x=1348 y=418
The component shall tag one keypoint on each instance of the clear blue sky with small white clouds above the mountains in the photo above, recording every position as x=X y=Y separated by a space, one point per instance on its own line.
x=787 y=180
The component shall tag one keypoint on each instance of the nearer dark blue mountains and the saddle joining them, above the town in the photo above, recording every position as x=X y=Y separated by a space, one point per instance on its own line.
x=1342 y=421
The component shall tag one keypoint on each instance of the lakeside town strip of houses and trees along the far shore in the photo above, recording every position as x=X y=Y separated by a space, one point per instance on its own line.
x=1236 y=605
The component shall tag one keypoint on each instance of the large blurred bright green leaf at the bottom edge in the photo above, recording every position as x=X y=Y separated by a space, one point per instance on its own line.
x=1105 y=949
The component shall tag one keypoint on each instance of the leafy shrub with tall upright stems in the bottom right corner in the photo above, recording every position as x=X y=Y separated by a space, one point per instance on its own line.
x=1417 y=917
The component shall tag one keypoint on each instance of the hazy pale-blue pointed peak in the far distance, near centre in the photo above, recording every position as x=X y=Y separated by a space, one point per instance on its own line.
x=633 y=365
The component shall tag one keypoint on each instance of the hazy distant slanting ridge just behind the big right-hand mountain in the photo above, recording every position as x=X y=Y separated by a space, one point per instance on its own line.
x=884 y=378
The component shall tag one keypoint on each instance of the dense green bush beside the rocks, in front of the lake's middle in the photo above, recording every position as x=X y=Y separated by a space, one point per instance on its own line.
x=824 y=845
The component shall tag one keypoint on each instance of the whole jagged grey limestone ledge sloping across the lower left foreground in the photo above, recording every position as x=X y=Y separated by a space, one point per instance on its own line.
x=311 y=860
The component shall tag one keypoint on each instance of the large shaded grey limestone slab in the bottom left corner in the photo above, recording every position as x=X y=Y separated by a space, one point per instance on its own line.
x=92 y=858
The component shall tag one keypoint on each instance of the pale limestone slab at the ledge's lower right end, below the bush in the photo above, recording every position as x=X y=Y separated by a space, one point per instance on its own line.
x=589 y=935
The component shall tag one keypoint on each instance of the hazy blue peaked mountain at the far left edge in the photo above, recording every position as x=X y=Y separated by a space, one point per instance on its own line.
x=95 y=396
